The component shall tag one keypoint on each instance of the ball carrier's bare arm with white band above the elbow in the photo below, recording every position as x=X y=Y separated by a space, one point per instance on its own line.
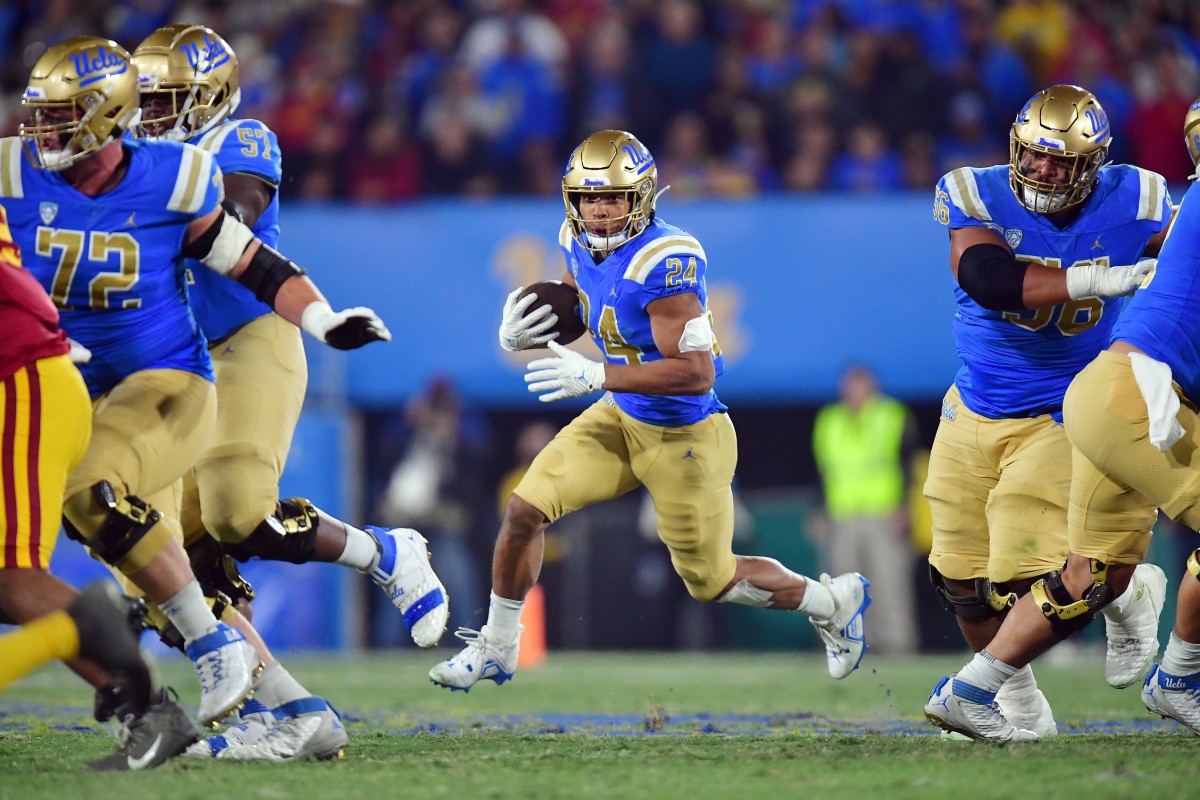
x=683 y=336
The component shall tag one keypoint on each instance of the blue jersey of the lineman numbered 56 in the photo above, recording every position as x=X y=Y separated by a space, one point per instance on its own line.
x=1019 y=364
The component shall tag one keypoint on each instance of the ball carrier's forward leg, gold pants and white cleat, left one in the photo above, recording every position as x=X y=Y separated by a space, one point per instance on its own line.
x=585 y=464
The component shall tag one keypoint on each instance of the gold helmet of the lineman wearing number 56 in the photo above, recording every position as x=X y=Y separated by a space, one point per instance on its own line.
x=1067 y=123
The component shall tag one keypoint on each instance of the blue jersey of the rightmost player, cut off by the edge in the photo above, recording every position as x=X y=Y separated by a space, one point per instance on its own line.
x=1163 y=318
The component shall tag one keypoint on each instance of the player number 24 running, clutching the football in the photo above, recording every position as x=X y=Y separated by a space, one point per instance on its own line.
x=658 y=424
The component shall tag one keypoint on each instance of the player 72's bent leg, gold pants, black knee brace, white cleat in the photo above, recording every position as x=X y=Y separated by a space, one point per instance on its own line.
x=147 y=434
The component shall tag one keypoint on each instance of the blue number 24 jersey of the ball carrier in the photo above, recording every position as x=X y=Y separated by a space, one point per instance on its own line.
x=662 y=262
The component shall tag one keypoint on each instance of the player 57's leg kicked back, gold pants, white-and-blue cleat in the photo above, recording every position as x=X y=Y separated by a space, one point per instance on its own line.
x=262 y=372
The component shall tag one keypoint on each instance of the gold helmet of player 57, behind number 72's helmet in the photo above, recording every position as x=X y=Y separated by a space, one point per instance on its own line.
x=189 y=81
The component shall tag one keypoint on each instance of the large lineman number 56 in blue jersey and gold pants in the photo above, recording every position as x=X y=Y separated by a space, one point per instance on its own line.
x=1042 y=250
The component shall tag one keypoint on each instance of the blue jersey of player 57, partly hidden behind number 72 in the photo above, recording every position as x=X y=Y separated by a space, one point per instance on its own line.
x=221 y=305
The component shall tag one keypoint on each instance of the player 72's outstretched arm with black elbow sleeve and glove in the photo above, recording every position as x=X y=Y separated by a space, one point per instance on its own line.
x=226 y=245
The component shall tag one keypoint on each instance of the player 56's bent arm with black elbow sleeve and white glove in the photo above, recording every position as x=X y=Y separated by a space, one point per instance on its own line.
x=987 y=270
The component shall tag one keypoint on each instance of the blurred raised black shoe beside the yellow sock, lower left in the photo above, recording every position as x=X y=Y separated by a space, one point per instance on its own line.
x=105 y=618
